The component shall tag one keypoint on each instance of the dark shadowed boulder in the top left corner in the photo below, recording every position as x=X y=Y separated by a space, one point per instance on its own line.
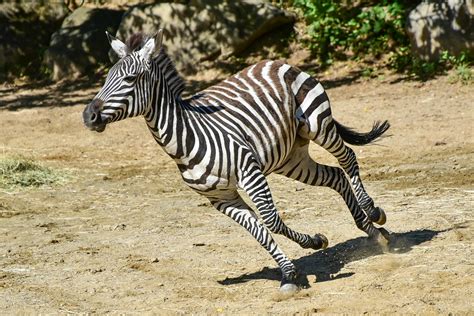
x=25 y=30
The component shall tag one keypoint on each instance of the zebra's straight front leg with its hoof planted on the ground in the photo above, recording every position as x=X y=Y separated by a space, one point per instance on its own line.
x=240 y=212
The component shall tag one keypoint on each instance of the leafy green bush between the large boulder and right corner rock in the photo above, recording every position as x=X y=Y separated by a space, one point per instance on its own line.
x=338 y=31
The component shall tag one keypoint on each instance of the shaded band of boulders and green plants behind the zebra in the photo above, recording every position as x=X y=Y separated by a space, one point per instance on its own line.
x=60 y=40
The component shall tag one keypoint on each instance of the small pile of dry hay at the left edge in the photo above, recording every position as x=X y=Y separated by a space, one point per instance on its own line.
x=25 y=172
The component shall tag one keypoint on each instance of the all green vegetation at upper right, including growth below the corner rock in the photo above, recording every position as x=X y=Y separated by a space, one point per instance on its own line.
x=340 y=30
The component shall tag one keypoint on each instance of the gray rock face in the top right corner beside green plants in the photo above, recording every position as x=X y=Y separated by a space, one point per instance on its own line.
x=434 y=26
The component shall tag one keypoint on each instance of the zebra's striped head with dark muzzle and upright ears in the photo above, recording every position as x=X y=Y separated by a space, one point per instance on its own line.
x=127 y=90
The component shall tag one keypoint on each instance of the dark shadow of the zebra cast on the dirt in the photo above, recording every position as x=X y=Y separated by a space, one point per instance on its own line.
x=327 y=264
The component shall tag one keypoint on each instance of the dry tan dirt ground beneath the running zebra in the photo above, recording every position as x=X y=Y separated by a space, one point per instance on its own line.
x=125 y=235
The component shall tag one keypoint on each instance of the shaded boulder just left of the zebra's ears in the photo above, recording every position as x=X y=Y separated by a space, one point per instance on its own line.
x=80 y=46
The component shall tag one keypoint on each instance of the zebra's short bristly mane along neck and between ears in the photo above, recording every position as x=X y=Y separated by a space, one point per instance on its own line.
x=176 y=84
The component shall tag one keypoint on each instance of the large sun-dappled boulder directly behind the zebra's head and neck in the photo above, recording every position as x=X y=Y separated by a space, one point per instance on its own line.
x=204 y=29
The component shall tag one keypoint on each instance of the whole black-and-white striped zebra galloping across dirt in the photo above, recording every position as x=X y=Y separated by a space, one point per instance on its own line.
x=233 y=134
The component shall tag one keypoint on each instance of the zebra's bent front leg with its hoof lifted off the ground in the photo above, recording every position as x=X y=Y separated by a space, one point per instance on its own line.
x=256 y=186
